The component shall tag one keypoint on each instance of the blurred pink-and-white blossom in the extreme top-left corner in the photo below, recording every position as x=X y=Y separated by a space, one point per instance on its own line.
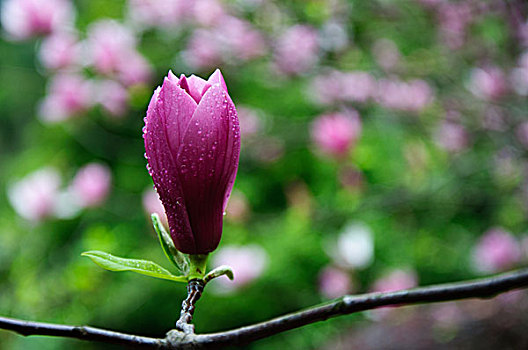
x=23 y=19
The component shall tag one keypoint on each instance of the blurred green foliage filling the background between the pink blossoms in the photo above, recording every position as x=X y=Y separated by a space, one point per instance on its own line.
x=428 y=218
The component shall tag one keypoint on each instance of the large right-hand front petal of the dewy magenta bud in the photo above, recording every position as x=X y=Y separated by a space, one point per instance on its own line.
x=208 y=160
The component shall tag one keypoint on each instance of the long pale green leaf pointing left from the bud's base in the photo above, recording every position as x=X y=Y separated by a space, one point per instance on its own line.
x=144 y=267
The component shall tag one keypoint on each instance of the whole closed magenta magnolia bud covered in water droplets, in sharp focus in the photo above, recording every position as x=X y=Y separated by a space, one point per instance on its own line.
x=192 y=142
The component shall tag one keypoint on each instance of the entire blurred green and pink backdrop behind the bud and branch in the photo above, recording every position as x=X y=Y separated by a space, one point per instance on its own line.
x=384 y=147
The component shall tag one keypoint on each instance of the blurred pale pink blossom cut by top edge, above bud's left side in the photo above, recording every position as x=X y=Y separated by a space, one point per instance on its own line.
x=155 y=13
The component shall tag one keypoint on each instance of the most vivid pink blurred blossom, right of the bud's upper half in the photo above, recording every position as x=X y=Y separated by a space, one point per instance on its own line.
x=336 y=134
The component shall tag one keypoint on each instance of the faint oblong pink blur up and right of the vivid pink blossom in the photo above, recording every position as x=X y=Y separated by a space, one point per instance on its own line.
x=412 y=96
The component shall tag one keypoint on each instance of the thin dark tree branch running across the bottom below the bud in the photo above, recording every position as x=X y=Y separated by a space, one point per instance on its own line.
x=481 y=288
